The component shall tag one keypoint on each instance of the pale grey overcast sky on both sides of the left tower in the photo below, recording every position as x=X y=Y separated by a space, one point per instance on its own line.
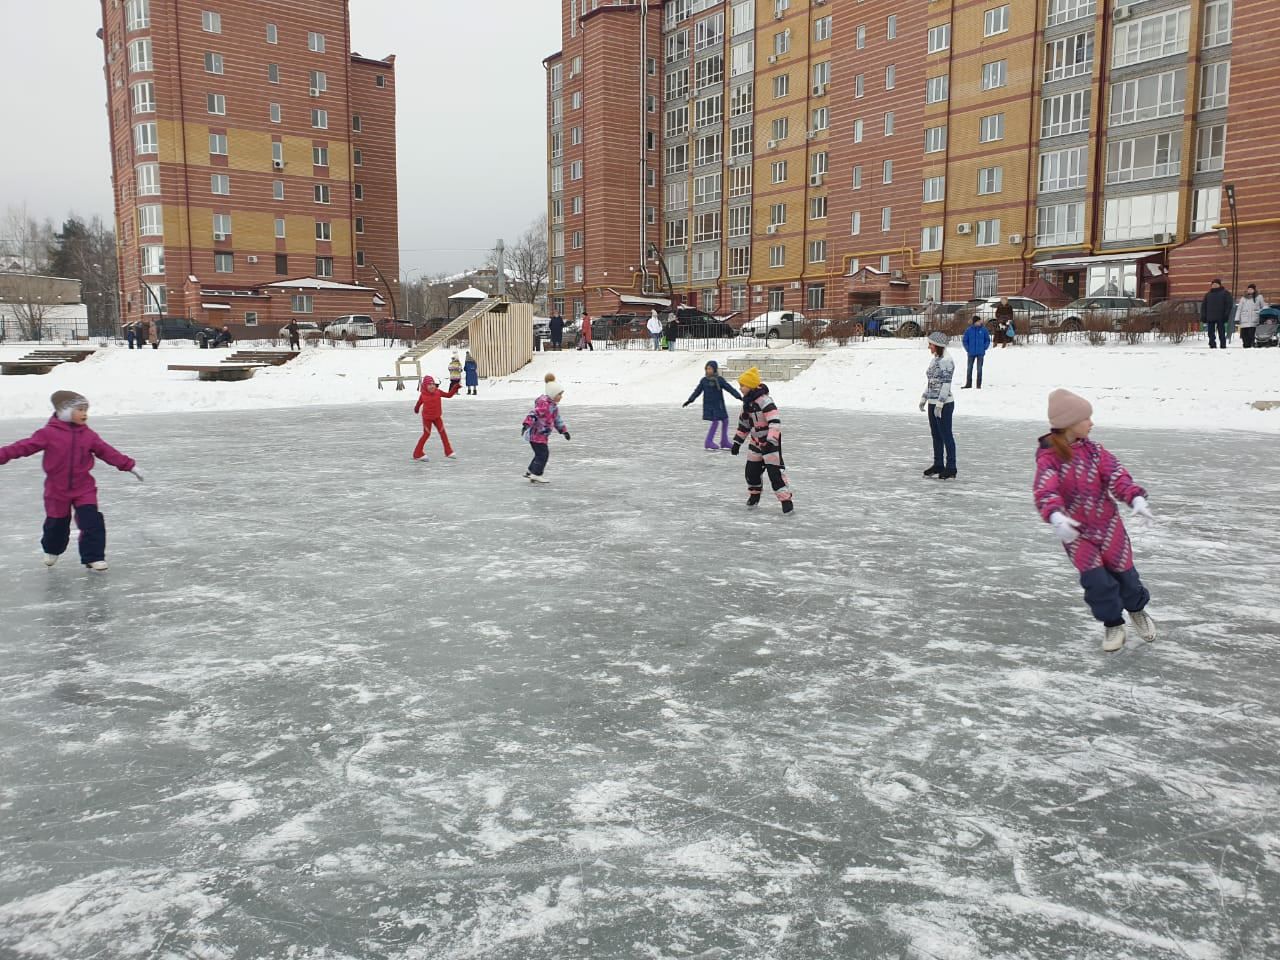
x=470 y=98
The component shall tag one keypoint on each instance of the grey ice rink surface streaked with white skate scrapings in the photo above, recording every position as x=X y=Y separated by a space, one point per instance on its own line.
x=330 y=703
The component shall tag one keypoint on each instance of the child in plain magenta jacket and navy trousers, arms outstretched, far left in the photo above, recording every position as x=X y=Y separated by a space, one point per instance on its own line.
x=70 y=449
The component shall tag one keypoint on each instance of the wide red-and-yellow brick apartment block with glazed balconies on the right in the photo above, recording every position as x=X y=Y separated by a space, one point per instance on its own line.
x=829 y=154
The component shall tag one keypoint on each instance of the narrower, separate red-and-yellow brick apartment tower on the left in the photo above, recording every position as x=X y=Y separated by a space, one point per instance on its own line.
x=254 y=162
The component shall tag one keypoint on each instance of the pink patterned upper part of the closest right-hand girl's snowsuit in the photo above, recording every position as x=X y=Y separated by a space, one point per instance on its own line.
x=1087 y=490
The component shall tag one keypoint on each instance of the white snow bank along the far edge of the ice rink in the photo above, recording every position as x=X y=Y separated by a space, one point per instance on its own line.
x=1156 y=385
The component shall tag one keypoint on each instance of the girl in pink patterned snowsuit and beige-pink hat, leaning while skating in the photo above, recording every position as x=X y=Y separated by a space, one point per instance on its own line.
x=1077 y=486
